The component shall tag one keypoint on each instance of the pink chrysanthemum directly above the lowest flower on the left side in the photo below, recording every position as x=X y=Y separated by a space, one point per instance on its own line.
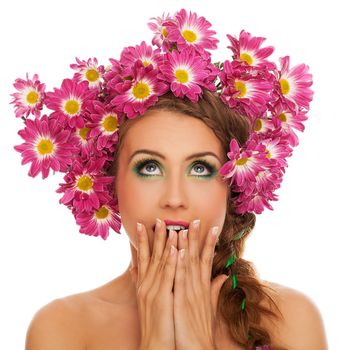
x=85 y=186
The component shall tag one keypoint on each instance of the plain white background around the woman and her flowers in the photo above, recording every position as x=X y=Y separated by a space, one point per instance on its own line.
x=303 y=243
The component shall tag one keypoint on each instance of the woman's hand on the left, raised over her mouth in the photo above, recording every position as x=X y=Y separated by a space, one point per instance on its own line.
x=154 y=285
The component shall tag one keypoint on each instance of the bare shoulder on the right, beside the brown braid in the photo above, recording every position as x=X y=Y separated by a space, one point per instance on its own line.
x=302 y=325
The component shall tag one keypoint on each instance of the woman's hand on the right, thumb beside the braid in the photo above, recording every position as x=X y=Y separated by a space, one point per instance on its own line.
x=195 y=295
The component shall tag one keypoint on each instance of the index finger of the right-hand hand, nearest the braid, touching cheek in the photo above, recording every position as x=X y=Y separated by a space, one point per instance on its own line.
x=207 y=256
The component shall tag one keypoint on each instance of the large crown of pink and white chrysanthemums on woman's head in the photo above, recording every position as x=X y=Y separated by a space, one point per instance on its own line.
x=80 y=135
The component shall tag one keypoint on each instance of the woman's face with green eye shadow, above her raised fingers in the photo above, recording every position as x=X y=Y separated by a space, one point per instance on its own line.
x=172 y=185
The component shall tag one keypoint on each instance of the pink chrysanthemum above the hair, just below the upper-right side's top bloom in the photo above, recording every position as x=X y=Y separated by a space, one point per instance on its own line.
x=241 y=88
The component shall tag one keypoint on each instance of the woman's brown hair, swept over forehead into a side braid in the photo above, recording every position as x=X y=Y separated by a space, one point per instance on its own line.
x=245 y=327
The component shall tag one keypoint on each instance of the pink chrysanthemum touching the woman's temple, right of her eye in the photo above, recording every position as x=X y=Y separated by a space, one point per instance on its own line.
x=243 y=166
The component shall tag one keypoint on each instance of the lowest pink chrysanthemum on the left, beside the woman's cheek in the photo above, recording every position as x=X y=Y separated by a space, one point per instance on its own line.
x=97 y=222
